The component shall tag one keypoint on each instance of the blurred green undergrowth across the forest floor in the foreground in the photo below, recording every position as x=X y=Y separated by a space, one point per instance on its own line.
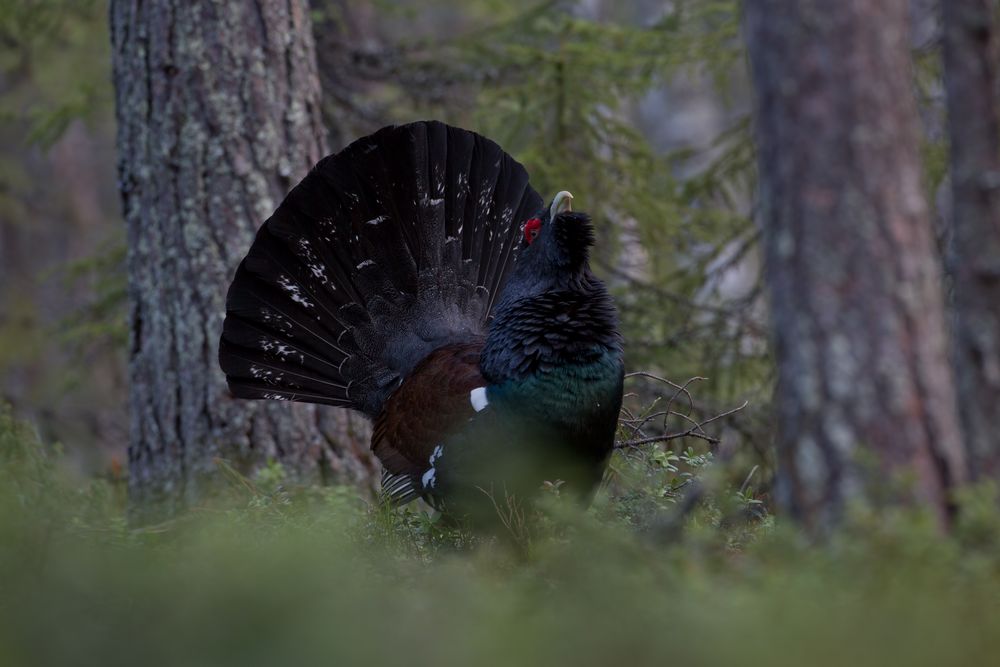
x=269 y=576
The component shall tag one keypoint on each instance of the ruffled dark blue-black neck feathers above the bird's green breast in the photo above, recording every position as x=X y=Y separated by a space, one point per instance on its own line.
x=573 y=324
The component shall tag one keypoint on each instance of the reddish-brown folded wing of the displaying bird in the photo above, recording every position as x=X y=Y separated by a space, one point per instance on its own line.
x=432 y=403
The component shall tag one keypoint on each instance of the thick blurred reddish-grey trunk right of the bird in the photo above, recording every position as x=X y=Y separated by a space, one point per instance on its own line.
x=865 y=395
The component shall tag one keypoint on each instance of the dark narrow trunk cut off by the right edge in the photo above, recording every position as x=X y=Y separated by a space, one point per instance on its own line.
x=970 y=57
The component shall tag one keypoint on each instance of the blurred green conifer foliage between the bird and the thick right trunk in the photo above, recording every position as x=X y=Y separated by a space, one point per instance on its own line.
x=560 y=89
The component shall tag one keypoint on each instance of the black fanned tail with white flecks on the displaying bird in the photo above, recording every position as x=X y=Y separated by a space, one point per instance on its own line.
x=384 y=252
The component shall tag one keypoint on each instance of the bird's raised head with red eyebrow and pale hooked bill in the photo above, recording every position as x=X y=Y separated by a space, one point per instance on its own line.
x=555 y=245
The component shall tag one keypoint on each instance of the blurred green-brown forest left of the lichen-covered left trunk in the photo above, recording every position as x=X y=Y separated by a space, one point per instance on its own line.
x=62 y=291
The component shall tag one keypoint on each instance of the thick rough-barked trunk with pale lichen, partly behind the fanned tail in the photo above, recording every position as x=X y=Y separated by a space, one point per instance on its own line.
x=218 y=116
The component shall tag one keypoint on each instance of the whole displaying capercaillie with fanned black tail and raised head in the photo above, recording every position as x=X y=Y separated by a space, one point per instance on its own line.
x=418 y=278
